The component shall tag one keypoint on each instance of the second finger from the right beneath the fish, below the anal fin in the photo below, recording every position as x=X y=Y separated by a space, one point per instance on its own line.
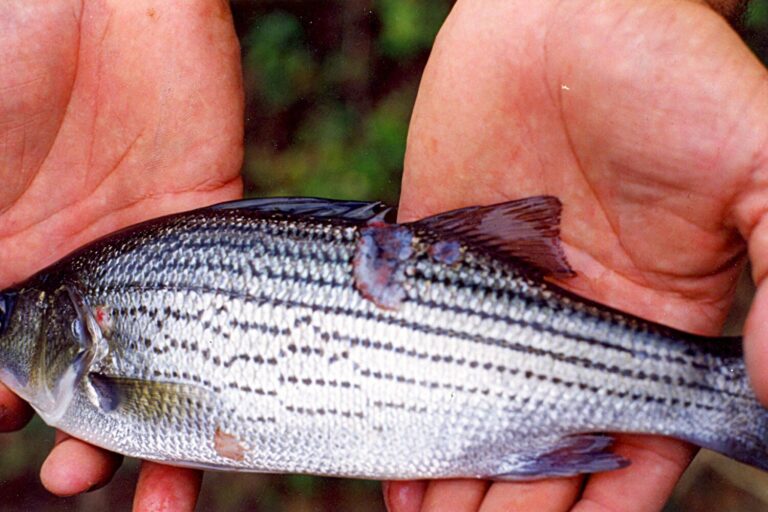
x=554 y=495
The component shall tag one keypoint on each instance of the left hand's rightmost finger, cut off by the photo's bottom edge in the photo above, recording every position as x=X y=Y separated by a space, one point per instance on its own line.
x=166 y=488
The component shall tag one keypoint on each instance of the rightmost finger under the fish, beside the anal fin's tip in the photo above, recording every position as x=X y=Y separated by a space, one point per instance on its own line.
x=644 y=486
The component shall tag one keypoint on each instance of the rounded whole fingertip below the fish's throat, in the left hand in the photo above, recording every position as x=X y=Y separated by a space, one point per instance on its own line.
x=73 y=467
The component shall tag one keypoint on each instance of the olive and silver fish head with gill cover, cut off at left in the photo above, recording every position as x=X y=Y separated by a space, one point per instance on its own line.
x=46 y=345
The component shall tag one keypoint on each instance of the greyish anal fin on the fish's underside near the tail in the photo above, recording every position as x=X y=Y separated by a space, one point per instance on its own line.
x=571 y=455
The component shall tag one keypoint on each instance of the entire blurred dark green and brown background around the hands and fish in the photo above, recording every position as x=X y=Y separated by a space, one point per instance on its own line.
x=330 y=86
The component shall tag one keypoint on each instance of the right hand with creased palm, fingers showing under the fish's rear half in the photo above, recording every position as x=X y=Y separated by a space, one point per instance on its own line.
x=650 y=121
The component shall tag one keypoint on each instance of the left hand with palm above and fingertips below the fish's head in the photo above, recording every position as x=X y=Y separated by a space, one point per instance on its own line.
x=110 y=113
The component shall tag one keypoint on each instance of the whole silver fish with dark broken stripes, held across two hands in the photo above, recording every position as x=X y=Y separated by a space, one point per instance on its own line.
x=304 y=335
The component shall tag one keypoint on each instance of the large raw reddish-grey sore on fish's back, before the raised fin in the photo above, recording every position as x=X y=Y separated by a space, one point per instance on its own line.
x=379 y=263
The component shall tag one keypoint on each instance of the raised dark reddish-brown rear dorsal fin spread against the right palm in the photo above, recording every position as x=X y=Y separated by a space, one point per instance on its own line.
x=527 y=230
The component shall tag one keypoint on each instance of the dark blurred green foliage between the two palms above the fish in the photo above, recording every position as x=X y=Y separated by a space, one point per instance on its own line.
x=328 y=107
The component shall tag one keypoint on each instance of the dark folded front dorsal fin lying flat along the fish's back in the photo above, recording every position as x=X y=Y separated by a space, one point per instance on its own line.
x=312 y=207
